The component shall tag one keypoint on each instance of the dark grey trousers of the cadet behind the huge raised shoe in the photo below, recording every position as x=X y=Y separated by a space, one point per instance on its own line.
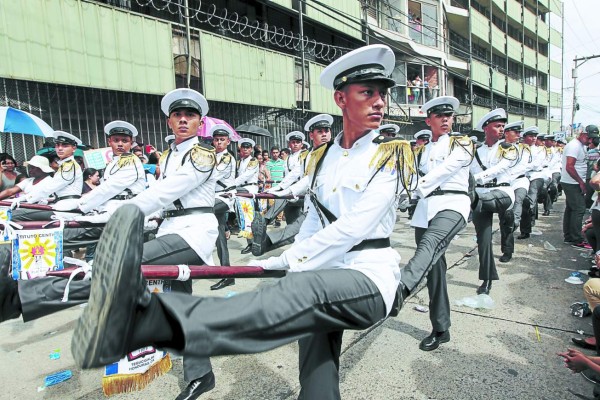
x=43 y=296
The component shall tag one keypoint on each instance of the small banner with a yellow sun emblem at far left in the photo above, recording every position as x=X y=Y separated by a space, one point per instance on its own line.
x=35 y=252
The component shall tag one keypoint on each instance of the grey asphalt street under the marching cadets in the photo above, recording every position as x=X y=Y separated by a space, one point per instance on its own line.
x=508 y=352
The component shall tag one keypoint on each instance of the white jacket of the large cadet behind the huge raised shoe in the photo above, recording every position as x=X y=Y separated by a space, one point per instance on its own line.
x=186 y=175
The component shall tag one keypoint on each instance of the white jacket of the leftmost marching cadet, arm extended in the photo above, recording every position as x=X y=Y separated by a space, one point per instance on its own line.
x=67 y=181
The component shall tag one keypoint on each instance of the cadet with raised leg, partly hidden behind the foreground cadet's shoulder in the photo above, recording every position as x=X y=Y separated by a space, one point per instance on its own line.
x=319 y=131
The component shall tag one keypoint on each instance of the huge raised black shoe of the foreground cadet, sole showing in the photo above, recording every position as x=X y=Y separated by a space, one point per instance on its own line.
x=117 y=292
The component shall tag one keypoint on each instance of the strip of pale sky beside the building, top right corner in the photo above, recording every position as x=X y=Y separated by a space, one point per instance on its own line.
x=582 y=39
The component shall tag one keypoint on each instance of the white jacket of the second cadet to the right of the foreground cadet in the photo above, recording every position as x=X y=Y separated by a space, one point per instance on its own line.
x=497 y=167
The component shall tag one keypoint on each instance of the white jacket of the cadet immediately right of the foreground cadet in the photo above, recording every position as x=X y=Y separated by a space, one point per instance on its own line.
x=445 y=168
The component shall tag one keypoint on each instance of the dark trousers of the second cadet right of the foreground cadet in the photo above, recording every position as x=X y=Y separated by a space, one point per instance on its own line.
x=490 y=203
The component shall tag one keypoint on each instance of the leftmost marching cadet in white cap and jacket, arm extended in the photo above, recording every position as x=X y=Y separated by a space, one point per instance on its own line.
x=66 y=184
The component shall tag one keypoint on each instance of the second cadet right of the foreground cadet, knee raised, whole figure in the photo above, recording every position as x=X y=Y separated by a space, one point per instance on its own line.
x=494 y=194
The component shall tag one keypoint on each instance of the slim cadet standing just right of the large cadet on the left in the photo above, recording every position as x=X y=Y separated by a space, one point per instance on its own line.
x=225 y=168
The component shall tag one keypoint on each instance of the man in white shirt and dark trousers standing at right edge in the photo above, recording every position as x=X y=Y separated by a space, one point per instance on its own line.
x=574 y=168
